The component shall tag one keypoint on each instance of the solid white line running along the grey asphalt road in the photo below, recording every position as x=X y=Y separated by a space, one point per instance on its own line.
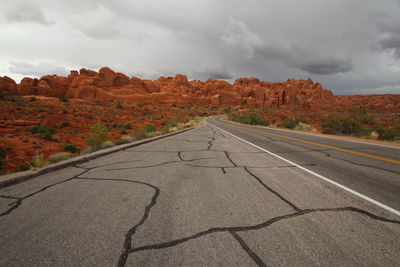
x=392 y=210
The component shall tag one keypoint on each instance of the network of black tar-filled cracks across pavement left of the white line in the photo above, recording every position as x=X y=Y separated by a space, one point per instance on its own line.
x=128 y=246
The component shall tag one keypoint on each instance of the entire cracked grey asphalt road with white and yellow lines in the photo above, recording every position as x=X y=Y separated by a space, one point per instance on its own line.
x=222 y=194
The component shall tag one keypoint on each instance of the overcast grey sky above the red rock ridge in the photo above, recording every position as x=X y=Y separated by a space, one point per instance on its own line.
x=350 y=46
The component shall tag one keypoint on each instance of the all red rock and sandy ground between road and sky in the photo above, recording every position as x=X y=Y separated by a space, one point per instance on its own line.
x=93 y=97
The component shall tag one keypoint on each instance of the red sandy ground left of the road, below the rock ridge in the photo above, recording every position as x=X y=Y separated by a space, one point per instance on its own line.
x=17 y=117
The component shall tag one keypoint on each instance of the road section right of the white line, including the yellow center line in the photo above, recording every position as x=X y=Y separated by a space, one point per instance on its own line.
x=372 y=170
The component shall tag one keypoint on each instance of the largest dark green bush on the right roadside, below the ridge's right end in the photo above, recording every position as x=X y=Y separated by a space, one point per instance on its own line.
x=342 y=125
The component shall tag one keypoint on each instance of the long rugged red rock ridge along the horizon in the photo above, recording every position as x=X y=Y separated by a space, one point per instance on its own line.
x=250 y=92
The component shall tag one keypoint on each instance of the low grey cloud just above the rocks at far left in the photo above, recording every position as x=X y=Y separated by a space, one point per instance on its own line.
x=37 y=70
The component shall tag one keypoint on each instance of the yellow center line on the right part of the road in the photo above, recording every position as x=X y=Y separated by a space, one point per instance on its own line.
x=316 y=144
